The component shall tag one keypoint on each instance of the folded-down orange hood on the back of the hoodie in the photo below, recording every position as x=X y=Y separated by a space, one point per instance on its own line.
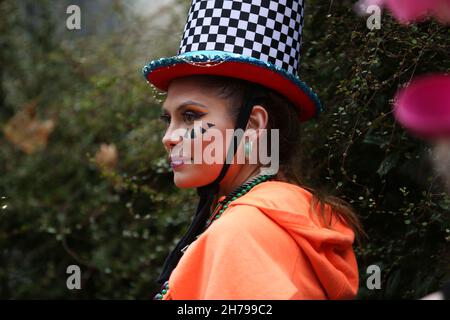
x=329 y=249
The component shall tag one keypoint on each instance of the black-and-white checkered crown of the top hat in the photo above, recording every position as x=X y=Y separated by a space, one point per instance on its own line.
x=268 y=30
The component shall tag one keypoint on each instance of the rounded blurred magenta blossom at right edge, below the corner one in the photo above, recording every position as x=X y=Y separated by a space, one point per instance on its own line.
x=424 y=106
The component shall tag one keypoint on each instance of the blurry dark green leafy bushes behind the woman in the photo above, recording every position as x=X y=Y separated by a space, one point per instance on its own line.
x=118 y=226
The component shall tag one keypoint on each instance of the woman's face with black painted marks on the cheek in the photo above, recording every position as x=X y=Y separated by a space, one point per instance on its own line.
x=190 y=110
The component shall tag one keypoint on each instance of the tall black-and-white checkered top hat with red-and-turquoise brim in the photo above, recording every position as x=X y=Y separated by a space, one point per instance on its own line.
x=254 y=40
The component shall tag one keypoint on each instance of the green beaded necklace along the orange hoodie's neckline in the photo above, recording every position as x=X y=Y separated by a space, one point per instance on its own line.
x=219 y=209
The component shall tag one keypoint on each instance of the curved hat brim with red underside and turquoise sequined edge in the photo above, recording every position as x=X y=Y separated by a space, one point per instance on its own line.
x=162 y=71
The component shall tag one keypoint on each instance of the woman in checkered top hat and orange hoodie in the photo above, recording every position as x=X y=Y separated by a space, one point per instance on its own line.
x=257 y=233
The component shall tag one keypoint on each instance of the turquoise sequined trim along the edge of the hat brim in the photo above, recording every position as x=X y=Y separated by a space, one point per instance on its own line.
x=220 y=57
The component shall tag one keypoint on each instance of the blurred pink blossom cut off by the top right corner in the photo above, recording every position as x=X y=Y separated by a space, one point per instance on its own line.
x=412 y=10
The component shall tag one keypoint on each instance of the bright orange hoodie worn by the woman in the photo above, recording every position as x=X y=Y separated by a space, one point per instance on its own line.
x=268 y=245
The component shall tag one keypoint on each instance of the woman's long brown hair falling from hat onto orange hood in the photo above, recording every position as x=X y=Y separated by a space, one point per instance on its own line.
x=284 y=117
